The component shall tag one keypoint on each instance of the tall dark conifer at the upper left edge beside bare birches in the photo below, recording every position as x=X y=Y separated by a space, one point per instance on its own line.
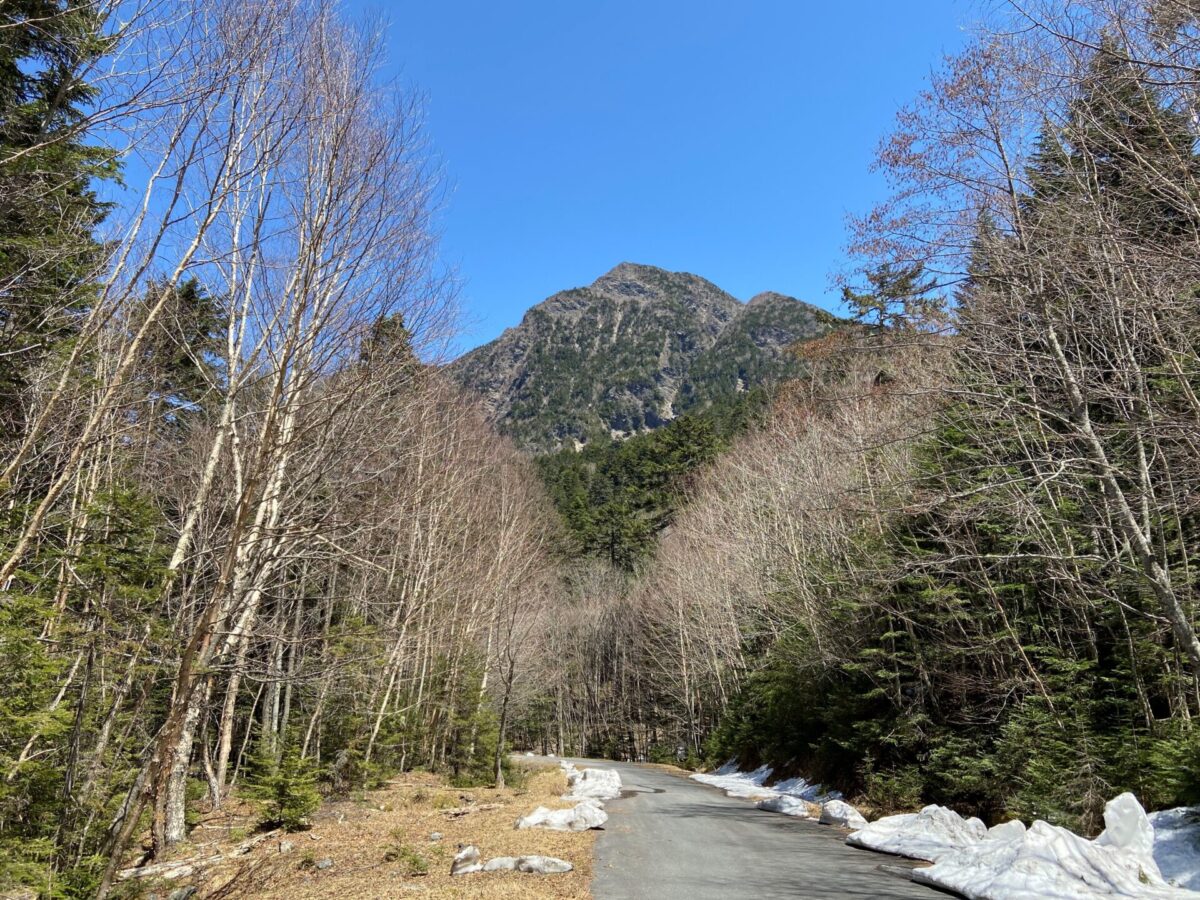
x=49 y=175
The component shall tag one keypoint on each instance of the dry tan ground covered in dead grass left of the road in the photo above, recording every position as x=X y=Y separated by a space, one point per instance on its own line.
x=380 y=847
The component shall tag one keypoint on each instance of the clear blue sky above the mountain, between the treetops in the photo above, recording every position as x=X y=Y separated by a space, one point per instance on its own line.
x=724 y=139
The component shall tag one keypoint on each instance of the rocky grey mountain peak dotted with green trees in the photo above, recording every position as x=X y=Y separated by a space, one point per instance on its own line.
x=631 y=352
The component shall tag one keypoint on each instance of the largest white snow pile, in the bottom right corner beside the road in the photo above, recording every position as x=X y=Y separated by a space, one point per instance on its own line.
x=1013 y=863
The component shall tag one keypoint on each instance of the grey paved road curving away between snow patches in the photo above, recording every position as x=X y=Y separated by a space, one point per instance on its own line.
x=670 y=838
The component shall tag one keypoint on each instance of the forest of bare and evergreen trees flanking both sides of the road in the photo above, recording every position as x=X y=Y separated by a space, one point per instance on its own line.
x=256 y=547
